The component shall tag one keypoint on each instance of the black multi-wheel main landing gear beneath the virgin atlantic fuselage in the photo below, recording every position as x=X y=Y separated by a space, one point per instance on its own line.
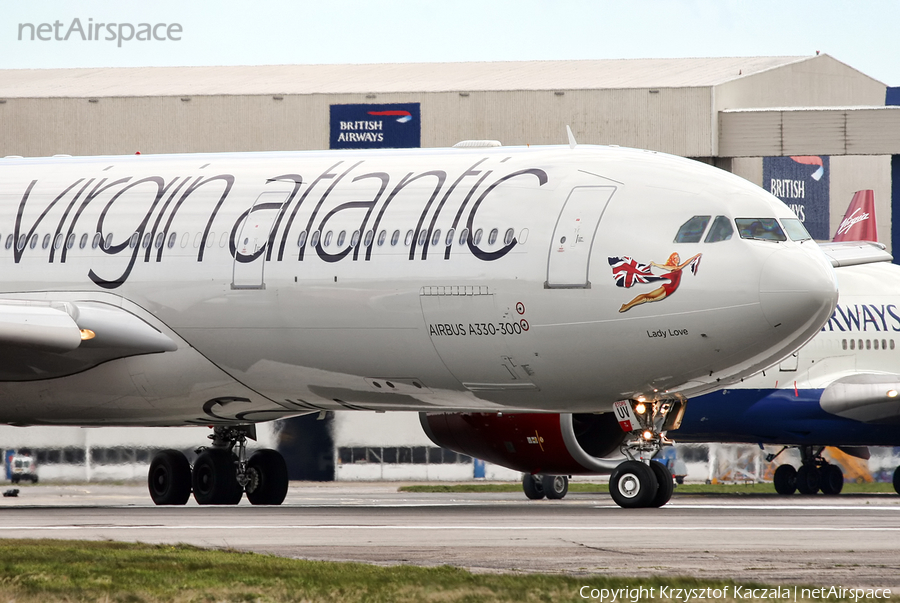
x=221 y=474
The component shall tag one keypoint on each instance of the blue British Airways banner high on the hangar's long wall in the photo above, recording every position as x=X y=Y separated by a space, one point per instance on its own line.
x=394 y=126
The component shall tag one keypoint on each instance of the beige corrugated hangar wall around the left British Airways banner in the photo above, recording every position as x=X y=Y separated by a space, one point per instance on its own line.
x=670 y=120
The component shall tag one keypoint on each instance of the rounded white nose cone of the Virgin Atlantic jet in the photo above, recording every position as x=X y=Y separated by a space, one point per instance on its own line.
x=797 y=289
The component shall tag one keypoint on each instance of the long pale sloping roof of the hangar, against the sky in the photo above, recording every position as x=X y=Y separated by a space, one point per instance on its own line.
x=383 y=78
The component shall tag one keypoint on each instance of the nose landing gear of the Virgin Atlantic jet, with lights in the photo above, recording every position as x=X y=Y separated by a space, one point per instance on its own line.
x=640 y=482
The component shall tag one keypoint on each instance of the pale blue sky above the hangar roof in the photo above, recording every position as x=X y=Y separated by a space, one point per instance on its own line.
x=861 y=33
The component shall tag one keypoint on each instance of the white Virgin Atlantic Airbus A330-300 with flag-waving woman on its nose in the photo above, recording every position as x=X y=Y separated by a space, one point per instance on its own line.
x=231 y=289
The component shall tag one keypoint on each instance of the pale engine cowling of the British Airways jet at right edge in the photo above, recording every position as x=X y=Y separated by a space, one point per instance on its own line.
x=865 y=397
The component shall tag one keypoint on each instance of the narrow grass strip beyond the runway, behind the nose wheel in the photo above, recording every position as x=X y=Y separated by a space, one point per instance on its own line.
x=749 y=488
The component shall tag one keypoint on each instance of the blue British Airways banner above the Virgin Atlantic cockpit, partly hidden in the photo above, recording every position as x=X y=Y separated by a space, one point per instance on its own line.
x=802 y=182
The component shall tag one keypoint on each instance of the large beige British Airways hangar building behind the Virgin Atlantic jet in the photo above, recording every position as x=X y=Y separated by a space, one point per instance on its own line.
x=811 y=129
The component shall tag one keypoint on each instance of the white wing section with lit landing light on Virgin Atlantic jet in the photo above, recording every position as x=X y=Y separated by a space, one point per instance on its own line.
x=47 y=339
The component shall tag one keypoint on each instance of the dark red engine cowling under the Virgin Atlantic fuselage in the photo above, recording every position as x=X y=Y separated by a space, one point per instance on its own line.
x=553 y=444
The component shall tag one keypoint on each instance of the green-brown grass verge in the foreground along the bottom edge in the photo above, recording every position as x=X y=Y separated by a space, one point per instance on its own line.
x=76 y=571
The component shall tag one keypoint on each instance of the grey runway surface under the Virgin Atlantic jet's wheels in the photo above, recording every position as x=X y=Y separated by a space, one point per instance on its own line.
x=848 y=540
